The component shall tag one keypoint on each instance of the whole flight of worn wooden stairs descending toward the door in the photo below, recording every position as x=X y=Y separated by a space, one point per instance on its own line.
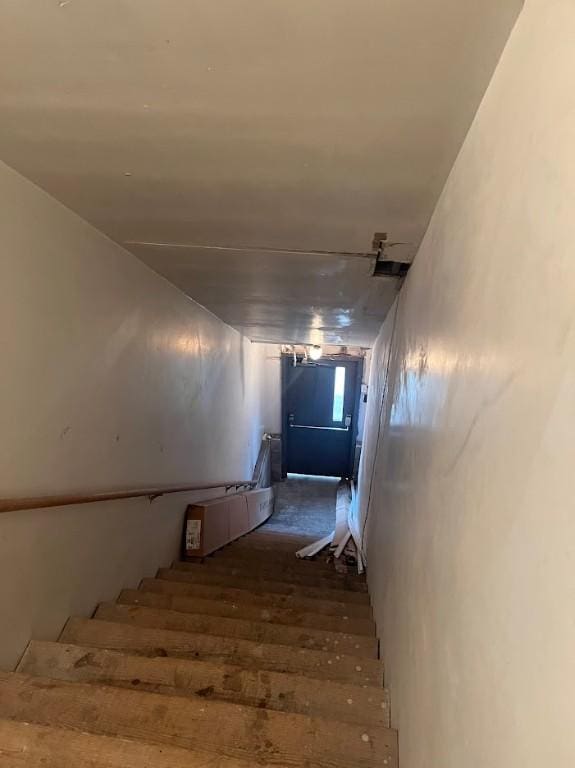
x=249 y=658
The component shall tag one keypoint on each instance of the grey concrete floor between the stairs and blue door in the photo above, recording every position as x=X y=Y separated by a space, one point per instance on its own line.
x=304 y=505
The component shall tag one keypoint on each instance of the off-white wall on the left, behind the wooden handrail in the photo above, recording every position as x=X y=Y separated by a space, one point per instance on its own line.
x=111 y=378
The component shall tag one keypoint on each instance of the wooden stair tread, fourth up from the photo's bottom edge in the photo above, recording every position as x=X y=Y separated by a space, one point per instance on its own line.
x=223 y=650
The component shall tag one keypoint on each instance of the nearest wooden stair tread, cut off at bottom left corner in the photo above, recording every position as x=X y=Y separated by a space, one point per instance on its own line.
x=26 y=745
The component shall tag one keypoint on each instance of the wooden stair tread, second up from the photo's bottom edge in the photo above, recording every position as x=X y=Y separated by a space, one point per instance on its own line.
x=220 y=728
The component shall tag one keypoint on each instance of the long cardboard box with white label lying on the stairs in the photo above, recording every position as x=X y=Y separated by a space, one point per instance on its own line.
x=213 y=524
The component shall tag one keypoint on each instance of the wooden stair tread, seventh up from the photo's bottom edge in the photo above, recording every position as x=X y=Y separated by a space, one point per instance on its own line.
x=259 y=598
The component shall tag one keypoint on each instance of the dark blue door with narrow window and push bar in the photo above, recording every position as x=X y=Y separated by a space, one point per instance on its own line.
x=320 y=403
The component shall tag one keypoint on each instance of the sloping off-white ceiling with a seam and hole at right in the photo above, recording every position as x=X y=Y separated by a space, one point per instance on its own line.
x=302 y=124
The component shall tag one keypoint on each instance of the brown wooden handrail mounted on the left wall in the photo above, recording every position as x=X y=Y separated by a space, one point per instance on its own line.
x=41 y=502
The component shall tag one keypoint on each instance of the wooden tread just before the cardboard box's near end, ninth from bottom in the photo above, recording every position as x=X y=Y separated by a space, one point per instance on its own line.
x=265 y=571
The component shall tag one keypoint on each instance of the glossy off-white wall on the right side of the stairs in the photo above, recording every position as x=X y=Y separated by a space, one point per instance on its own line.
x=471 y=532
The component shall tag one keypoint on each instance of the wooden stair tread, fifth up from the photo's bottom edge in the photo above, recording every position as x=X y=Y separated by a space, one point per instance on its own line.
x=156 y=608
